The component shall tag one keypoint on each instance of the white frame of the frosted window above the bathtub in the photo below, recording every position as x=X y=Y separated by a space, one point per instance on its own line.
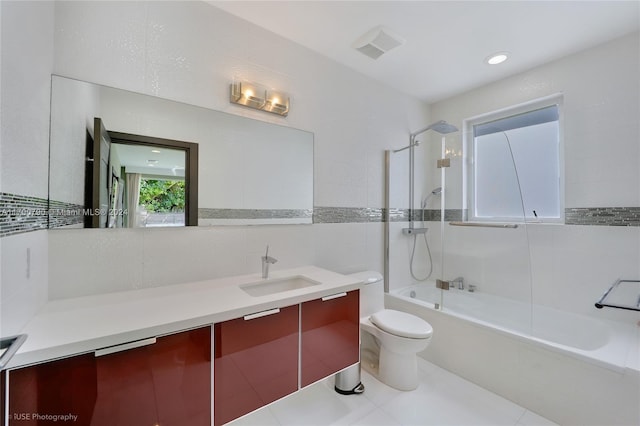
x=468 y=171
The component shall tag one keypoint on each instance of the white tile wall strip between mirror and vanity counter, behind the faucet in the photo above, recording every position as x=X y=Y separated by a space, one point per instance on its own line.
x=84 y=262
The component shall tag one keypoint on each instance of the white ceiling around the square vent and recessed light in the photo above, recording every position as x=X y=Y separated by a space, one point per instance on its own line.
x=446 y=41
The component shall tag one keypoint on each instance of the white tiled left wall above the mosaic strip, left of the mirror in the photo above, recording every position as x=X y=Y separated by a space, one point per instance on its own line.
x=27 y=57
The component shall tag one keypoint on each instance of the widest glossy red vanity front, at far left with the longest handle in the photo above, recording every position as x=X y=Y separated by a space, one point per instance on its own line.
x=163 y=381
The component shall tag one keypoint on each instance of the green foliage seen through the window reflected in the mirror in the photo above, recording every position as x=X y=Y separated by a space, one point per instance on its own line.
x=162 y=196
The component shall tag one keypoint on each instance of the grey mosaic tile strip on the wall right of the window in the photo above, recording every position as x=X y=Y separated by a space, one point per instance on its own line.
x=604 y=216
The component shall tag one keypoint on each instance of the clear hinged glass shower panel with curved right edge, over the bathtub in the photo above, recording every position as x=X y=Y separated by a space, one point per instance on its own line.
x=486 y=261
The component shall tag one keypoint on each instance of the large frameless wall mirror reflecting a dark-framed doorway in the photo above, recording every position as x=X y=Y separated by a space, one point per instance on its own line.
x=246 y=171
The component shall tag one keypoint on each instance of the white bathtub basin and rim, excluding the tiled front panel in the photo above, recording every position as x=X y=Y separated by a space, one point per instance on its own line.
x=609 y=344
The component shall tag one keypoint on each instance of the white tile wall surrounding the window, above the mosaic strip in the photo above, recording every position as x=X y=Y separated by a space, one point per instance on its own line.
x=601 y=91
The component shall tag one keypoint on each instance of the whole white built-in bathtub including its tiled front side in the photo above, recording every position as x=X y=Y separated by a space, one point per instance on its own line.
x=572 y=369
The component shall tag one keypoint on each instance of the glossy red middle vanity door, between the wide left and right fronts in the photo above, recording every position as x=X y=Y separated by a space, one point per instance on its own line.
x=256 y=362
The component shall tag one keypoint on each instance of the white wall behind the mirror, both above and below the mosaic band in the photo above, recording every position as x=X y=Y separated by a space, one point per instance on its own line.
x=191 y=51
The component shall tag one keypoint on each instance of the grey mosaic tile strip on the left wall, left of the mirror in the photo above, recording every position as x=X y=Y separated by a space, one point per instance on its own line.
x=19 y=213
